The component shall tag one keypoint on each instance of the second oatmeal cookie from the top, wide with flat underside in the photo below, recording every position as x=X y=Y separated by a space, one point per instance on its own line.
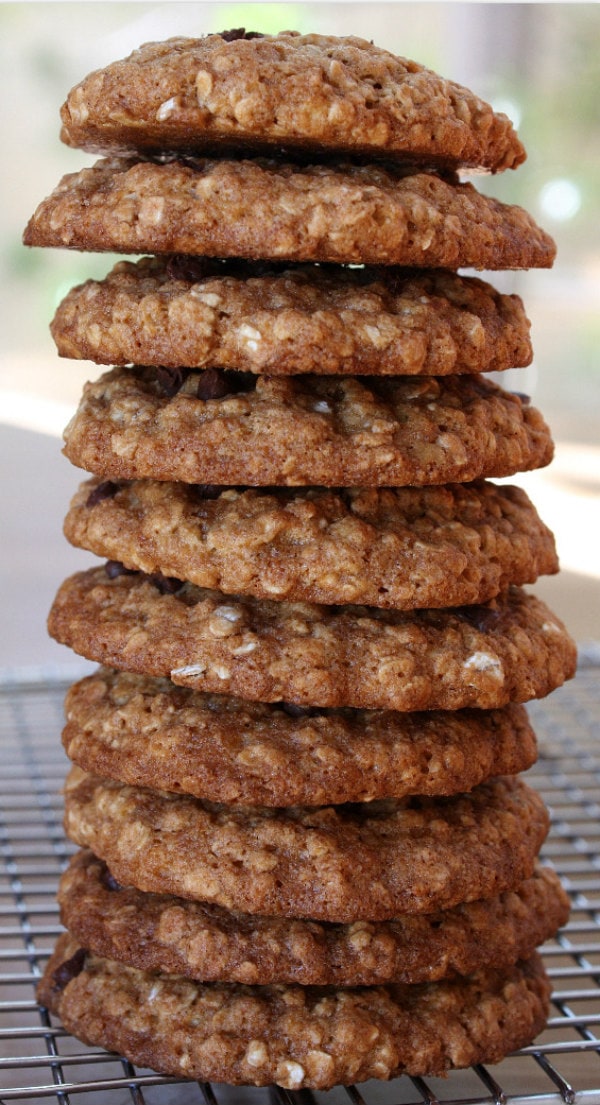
x=267 y=209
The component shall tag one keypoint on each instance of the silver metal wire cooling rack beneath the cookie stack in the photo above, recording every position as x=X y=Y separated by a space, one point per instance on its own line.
x=39 y=1061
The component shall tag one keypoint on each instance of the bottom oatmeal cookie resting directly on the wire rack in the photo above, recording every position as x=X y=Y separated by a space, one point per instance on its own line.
x=296 y=1037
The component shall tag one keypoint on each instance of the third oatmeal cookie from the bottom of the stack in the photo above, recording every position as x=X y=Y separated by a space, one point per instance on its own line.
x=370 y=861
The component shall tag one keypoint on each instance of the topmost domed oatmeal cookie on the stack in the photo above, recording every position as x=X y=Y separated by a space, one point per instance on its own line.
x=309 y=92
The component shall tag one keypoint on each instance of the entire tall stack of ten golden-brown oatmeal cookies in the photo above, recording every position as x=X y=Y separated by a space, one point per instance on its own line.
x=307 y=854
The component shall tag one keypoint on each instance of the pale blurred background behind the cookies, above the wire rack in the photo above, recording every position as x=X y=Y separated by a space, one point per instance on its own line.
x=538 y=62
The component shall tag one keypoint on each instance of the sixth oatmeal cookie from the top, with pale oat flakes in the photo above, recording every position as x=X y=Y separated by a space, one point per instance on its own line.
x=510 y=650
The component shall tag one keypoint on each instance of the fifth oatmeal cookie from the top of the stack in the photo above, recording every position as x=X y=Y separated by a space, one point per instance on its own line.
x=406 y=548
